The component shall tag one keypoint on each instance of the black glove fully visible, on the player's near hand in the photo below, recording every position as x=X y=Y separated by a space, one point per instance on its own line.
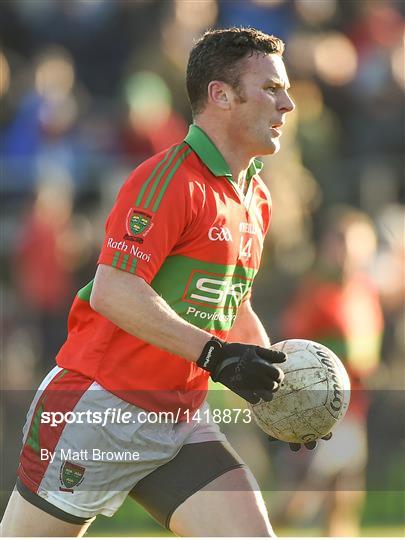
x=247 y=370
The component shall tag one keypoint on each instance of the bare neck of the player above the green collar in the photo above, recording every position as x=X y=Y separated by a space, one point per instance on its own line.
x=236 y=157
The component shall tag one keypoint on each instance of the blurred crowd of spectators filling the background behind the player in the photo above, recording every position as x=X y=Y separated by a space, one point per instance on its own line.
x=89 y=89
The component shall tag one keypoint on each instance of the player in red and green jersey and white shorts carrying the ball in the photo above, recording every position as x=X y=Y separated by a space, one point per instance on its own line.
x=168 y=307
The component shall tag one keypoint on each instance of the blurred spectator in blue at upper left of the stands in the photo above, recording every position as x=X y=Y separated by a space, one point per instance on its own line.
x=44 y=128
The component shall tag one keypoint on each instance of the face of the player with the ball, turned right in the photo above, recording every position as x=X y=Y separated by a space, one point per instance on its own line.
x=258 y=110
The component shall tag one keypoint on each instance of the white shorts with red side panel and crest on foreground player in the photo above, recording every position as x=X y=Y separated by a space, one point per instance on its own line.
x=85 y=468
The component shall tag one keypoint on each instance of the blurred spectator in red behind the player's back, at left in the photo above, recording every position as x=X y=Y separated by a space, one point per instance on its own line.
x=46 y=256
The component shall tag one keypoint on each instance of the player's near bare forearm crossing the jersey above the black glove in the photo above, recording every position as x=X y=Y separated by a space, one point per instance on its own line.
x=130 y=303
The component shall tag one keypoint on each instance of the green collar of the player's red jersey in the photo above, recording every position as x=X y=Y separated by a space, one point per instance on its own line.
x=212 y=157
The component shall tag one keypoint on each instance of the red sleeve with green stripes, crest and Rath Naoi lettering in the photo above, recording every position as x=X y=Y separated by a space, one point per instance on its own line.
x=141 y=233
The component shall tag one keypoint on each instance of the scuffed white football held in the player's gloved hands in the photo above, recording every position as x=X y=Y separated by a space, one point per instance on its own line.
x=313 y=397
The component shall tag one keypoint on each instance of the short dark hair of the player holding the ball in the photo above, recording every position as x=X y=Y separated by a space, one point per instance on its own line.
x=216 y=56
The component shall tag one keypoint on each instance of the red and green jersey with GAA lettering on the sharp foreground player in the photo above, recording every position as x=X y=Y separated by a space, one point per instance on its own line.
x=181 y=223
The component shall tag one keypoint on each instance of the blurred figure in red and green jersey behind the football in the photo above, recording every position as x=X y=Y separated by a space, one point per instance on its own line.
x=337 y=304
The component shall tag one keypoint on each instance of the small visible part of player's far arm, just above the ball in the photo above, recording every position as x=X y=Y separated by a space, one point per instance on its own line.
x=248 y=328
